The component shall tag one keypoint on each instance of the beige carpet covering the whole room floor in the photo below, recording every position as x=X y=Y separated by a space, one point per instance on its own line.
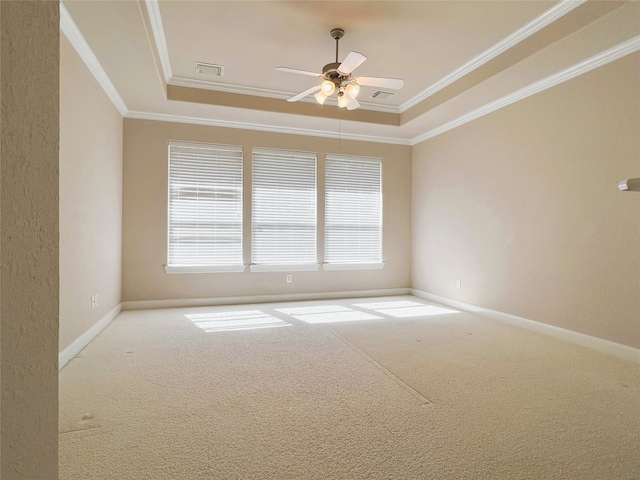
x=368 y=388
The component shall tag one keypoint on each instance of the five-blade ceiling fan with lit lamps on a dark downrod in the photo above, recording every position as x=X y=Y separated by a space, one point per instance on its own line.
x=336 y=76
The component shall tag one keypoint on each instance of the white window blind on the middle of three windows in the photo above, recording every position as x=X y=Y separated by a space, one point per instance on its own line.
x=283 y=225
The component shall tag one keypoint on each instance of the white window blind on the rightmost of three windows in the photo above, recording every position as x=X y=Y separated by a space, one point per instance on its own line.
x=353 y=211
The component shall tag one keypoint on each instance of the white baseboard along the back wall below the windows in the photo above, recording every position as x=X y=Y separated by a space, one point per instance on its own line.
x=285 y=297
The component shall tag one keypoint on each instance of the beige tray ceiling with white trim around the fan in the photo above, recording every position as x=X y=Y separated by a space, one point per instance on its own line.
x=454 y=57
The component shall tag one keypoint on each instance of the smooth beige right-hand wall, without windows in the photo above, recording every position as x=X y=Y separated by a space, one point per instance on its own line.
x=522 y=205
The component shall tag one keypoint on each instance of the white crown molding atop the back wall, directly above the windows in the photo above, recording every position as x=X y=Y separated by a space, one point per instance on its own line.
x=164 y=117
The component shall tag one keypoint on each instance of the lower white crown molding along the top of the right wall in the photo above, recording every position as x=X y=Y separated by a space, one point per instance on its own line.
x=622 y=49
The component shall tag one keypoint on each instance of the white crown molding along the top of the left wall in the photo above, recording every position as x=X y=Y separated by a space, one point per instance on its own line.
x=73 y=34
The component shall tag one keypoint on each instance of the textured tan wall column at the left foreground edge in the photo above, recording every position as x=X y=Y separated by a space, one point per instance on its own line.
x=29 y=98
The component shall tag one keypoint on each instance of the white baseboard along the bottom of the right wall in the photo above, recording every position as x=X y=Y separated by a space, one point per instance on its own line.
x=605 y=346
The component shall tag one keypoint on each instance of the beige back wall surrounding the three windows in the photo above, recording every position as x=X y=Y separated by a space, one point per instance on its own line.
x=145 y=217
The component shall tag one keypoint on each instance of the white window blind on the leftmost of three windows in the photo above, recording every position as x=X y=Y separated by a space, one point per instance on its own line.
x=205 y=207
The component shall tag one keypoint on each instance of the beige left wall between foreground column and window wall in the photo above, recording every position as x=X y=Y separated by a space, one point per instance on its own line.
x=90 y=198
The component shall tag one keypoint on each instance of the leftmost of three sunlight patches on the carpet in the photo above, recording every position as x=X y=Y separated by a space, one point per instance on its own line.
x=232 y=321
